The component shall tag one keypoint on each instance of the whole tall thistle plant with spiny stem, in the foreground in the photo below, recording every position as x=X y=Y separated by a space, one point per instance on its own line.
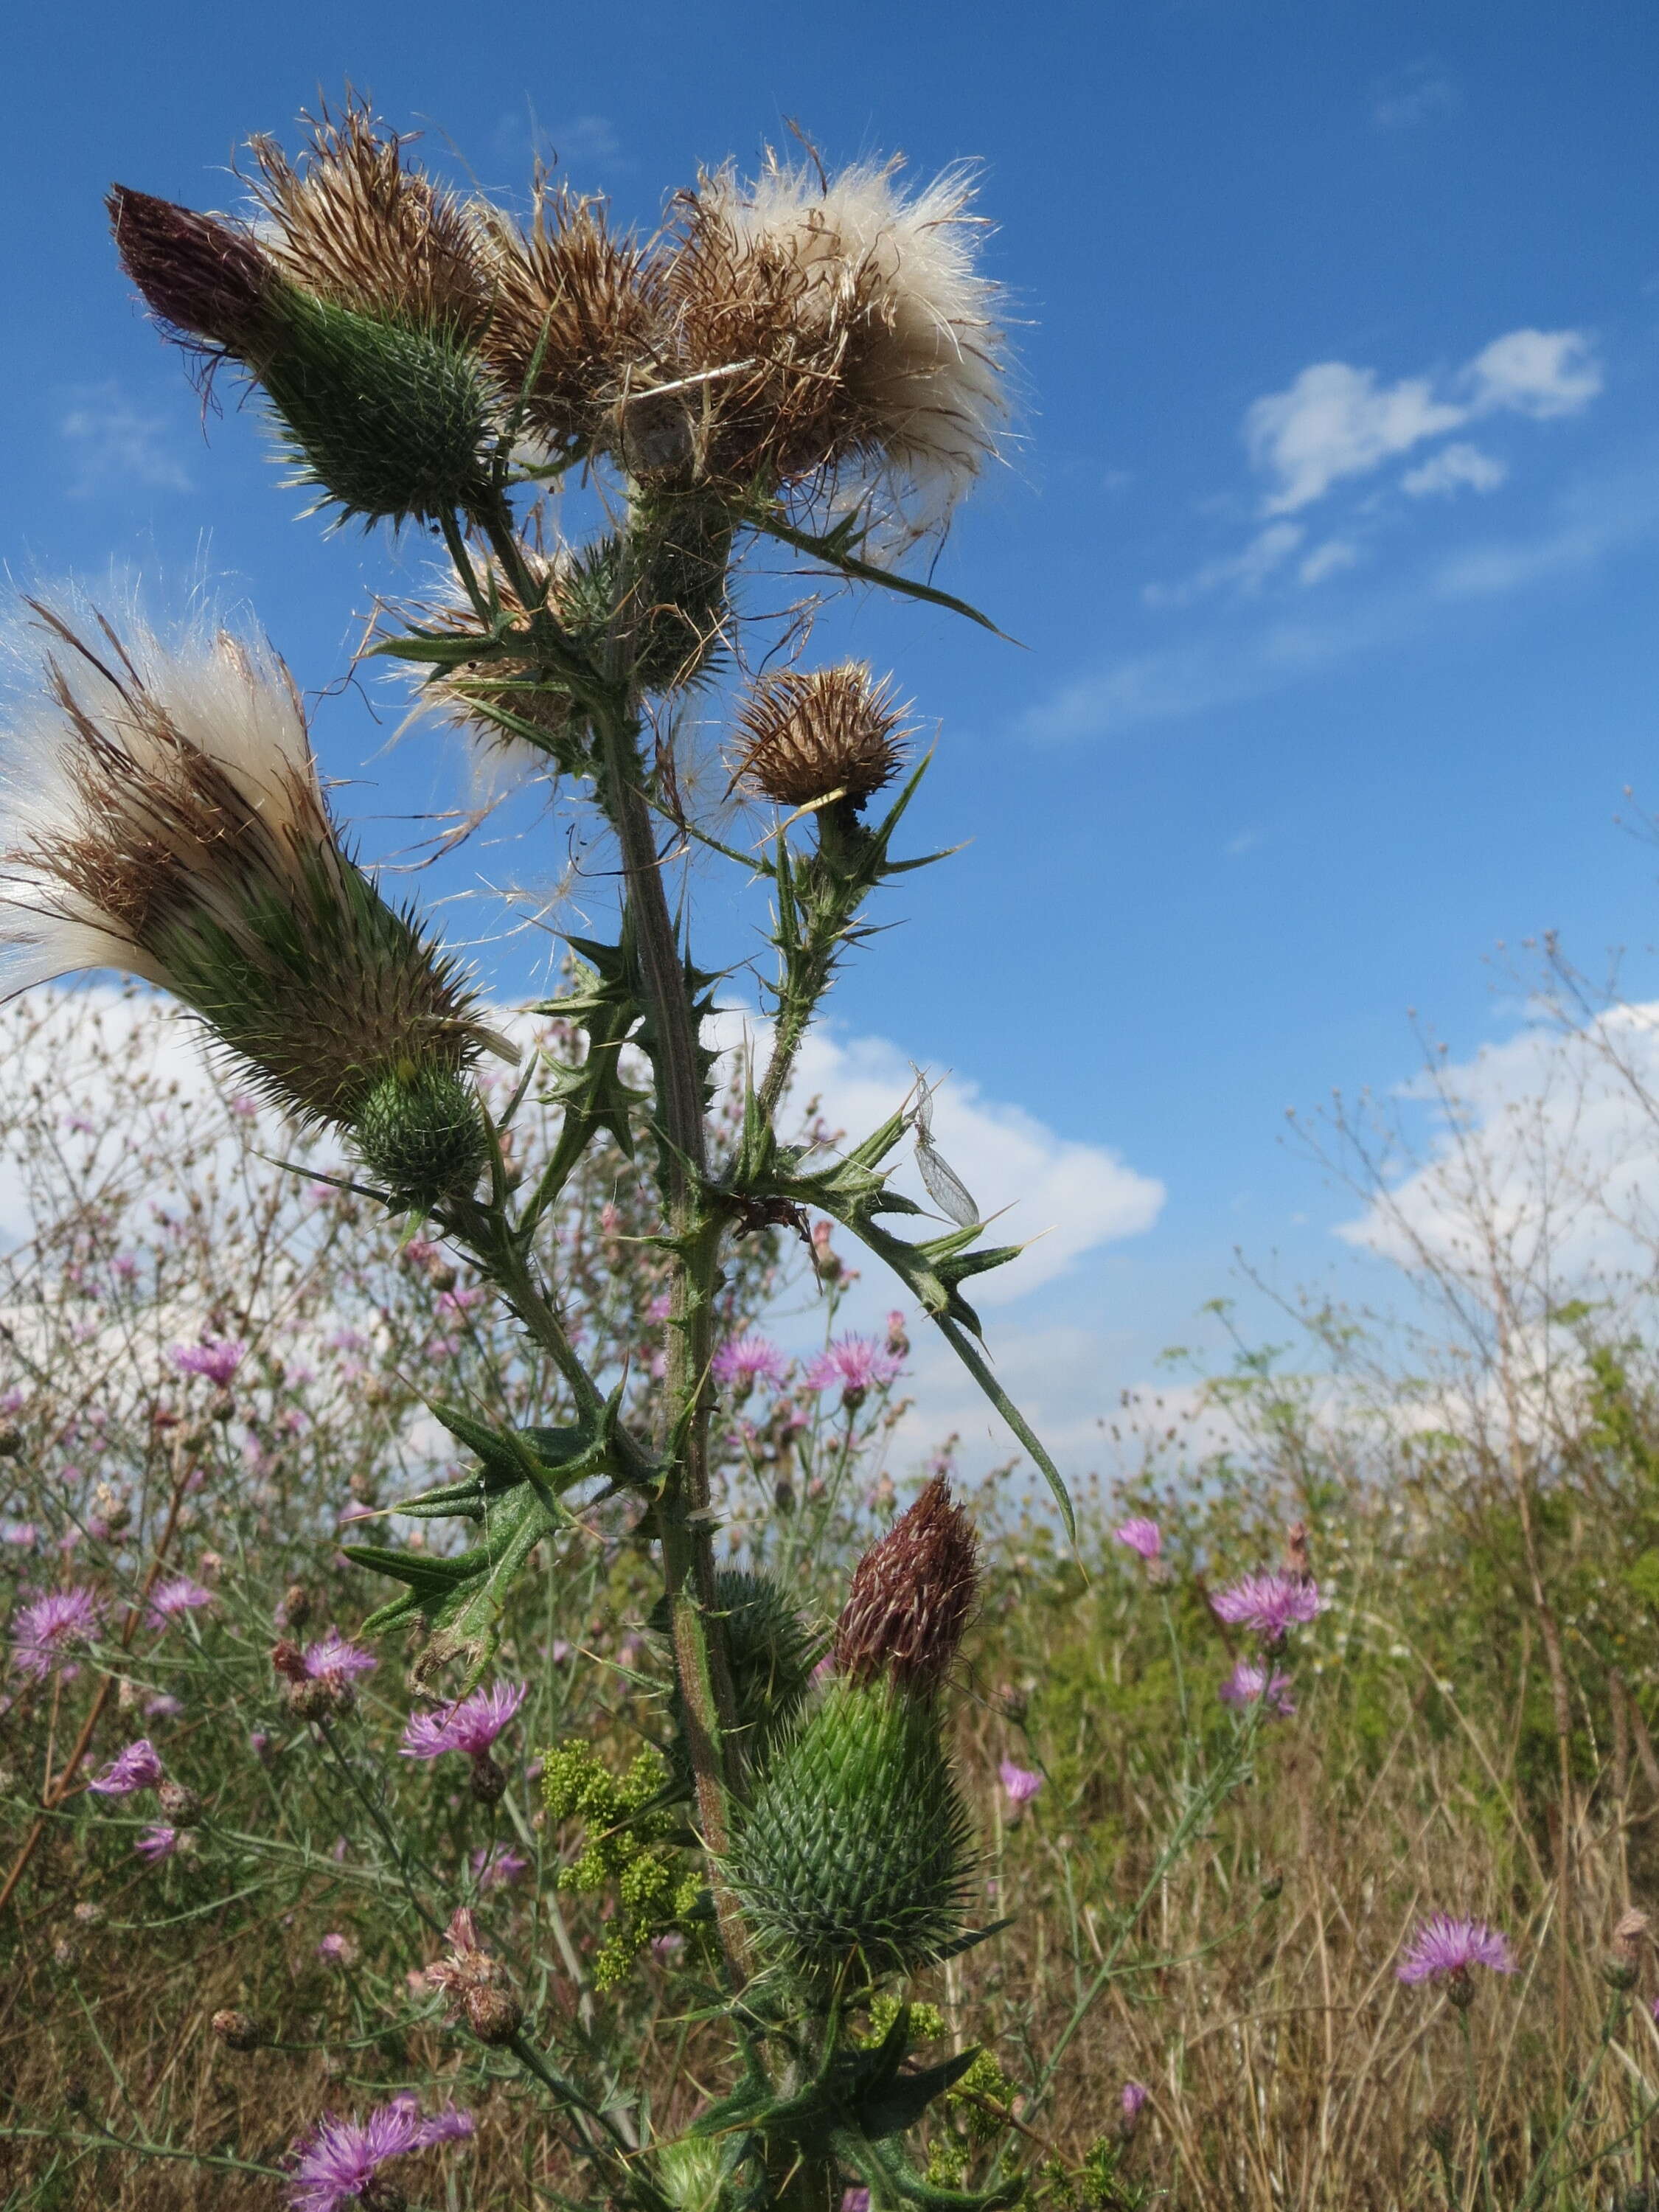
x=802 y=359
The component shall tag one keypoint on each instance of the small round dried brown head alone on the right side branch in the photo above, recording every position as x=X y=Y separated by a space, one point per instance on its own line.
x=808 y=735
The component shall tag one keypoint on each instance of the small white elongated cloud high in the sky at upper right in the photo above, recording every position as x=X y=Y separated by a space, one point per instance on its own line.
x=1337 y=421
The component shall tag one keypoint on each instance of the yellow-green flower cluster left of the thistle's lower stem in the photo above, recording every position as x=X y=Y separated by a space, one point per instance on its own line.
x=629 y=1841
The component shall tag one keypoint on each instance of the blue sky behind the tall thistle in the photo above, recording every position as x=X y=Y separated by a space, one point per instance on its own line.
x=1331 y=534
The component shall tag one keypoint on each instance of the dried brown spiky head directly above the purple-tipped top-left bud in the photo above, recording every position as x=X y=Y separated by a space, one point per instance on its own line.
x=353 y=222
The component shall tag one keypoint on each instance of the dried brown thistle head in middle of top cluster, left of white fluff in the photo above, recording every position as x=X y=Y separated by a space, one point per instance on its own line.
x=576 y=311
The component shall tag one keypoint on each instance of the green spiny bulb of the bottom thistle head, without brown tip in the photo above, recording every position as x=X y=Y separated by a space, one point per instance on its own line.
x=857 y=1846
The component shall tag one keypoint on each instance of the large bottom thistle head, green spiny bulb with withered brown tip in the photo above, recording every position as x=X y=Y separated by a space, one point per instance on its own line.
x=857 y=1848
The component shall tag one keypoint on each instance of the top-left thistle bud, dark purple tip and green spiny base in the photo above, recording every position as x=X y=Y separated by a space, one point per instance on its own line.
x=384 y=410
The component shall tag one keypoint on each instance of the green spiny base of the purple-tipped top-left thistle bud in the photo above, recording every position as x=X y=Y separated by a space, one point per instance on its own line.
x=386 y=419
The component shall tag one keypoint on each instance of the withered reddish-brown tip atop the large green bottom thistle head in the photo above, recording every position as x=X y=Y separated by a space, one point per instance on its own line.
x=910 y=1598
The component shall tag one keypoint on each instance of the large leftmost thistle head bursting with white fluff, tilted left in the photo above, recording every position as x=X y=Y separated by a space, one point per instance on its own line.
x=160 y=813
